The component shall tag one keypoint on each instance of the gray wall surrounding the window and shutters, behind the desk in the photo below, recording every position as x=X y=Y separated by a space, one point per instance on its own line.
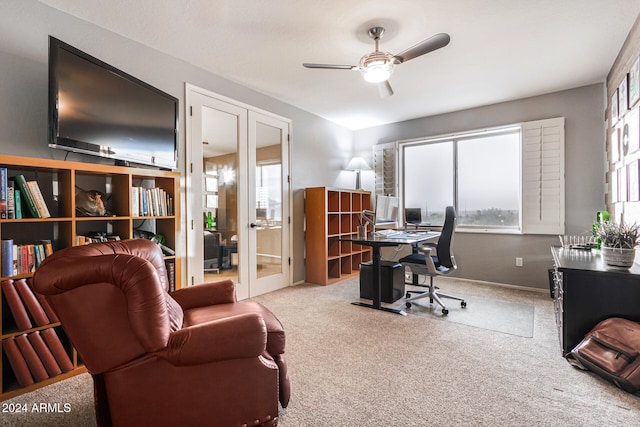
x=491 y=257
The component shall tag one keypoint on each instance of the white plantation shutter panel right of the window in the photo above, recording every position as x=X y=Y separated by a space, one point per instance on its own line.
x=543 y=176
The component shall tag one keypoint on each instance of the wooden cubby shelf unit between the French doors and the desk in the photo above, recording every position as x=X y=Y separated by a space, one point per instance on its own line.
x=332 y=214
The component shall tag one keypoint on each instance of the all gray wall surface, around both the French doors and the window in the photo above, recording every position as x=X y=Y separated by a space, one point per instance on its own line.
x=319 y=149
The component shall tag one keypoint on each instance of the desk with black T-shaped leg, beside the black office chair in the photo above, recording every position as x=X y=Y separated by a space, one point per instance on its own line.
x=402 y=238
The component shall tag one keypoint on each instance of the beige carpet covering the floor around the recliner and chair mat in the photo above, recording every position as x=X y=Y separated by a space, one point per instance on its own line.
x=355 y=366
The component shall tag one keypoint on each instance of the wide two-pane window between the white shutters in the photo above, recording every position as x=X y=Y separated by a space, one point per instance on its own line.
x=478 y=173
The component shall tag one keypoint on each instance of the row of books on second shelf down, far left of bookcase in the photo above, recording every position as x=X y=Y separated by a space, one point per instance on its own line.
x=22 y=258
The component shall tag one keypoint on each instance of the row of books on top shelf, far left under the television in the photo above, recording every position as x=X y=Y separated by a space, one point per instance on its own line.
x=20 y=198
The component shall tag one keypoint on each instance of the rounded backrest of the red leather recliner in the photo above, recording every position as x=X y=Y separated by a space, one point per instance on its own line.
x=111 y=299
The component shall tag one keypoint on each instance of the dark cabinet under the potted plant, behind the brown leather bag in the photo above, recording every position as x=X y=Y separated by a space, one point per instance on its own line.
x=586 y=291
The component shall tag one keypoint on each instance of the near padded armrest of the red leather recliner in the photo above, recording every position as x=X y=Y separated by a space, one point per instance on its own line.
x=236 y=337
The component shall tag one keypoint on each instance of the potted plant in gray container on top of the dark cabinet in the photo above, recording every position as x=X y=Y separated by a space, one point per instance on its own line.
x=618 y=242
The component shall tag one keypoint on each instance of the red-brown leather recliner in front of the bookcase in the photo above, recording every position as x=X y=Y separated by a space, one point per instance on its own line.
x=193 y=357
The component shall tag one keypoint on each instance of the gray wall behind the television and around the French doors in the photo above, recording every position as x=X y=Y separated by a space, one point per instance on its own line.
x=319 y=149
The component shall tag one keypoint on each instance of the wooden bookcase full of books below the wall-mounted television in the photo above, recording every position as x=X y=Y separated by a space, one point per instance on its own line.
x=59 y=182
